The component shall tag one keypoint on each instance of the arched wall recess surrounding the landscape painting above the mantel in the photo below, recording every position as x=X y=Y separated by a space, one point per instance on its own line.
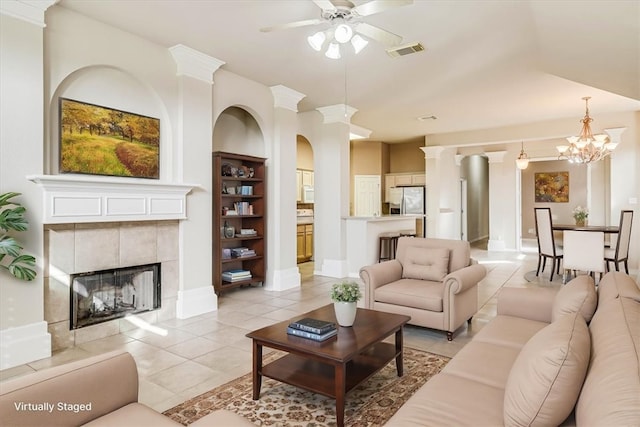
x=115 y=88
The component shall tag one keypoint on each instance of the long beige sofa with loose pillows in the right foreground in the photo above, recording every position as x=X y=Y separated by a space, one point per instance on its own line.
x=546 y=359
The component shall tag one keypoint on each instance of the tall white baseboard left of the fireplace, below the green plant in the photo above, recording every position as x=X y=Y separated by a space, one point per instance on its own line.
x=24 y=344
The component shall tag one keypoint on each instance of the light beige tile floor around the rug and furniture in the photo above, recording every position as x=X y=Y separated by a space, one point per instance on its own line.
x=184 y=358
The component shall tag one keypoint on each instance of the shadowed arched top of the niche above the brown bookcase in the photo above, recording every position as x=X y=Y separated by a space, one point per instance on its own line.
x=237 y=131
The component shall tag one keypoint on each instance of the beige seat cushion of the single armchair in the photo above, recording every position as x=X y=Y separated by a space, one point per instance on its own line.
x=414 y=293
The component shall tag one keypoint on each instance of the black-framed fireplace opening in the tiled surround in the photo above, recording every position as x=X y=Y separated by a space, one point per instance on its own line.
x=99 y=296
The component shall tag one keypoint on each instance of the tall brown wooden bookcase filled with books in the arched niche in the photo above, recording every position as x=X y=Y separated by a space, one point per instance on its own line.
x=239 y=226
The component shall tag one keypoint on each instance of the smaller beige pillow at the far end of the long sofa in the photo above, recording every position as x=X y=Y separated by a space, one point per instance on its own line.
x=579 y=295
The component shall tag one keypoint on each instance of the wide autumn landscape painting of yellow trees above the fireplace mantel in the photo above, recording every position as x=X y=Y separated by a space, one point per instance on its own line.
x=103 y=141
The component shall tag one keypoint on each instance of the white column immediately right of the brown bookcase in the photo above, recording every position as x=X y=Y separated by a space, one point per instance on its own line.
x=282 y=269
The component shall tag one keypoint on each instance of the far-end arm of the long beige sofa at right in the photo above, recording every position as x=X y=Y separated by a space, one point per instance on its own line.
x=533 y=304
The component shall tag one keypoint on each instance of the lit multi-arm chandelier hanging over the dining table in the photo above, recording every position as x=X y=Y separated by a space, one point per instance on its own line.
x=587 y=147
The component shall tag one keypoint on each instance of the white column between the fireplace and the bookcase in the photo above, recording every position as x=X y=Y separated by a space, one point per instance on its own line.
x=194 y=164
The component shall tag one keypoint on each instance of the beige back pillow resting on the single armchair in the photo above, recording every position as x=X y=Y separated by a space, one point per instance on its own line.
x=425 y=263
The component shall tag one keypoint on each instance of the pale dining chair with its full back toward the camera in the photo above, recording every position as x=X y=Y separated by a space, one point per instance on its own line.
x=583 y=251
